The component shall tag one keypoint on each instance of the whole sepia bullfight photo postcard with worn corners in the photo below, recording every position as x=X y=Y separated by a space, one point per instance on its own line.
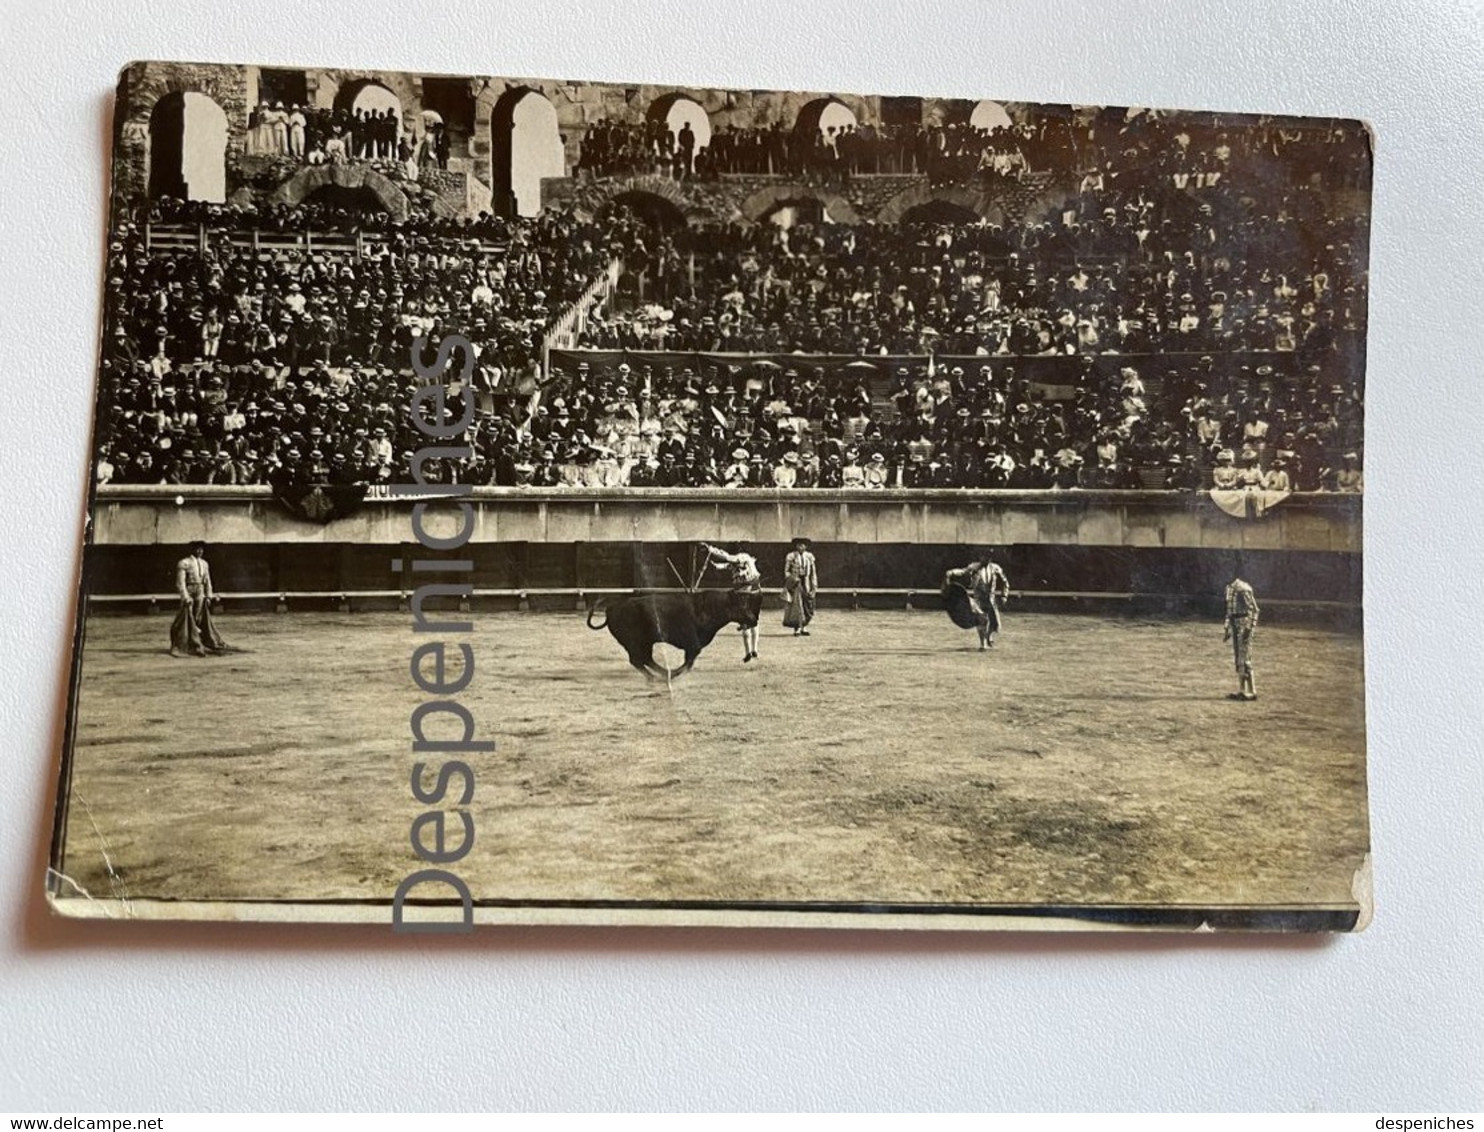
x=528 y=501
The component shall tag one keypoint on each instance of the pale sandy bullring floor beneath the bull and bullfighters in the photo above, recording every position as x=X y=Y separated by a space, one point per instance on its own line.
x=884 y=760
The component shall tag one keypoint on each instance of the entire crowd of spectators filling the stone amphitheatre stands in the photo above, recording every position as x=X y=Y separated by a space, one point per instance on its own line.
x=1207 y=287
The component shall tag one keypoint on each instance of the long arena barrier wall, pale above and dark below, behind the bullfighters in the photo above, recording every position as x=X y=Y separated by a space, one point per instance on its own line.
x=559 y=550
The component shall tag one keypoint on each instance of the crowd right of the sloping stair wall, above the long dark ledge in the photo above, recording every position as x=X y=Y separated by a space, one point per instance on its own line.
x=1121 y=271
